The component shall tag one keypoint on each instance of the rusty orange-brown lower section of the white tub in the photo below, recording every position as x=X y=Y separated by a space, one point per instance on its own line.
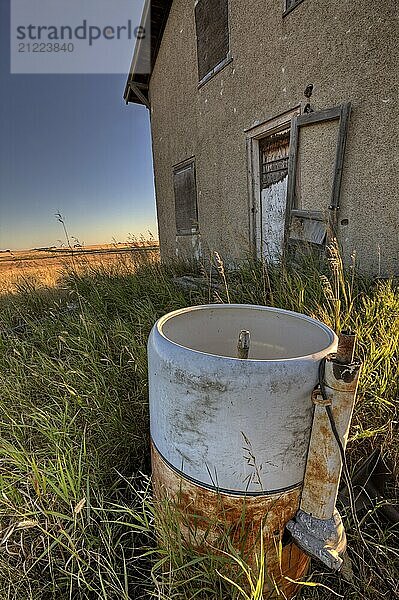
x=208 y=515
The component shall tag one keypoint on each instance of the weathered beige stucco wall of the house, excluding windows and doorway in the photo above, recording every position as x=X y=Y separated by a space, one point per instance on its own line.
x=348 y=50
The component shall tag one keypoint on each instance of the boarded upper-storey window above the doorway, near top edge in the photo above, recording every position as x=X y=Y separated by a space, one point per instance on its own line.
x=212 y=24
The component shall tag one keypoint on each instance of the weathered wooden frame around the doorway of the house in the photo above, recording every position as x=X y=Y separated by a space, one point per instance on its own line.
x=253 y=136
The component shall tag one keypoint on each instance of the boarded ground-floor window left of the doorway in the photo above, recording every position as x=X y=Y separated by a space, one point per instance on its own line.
x=185 y=199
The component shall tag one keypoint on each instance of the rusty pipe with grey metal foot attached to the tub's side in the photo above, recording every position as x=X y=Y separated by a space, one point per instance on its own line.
x=317 y=527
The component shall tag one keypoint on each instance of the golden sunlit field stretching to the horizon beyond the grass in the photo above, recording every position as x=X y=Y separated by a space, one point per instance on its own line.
x=44 y=267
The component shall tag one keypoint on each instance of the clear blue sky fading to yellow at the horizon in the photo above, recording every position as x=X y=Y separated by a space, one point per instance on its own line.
x=69 y=143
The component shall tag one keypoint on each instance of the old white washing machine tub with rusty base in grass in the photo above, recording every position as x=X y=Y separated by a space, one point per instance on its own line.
x=229 y=435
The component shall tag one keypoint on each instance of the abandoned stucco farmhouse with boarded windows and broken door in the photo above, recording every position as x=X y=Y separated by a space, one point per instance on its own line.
x=275 y=125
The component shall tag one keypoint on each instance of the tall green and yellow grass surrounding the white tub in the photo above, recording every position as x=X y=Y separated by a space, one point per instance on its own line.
x=77 y=515
